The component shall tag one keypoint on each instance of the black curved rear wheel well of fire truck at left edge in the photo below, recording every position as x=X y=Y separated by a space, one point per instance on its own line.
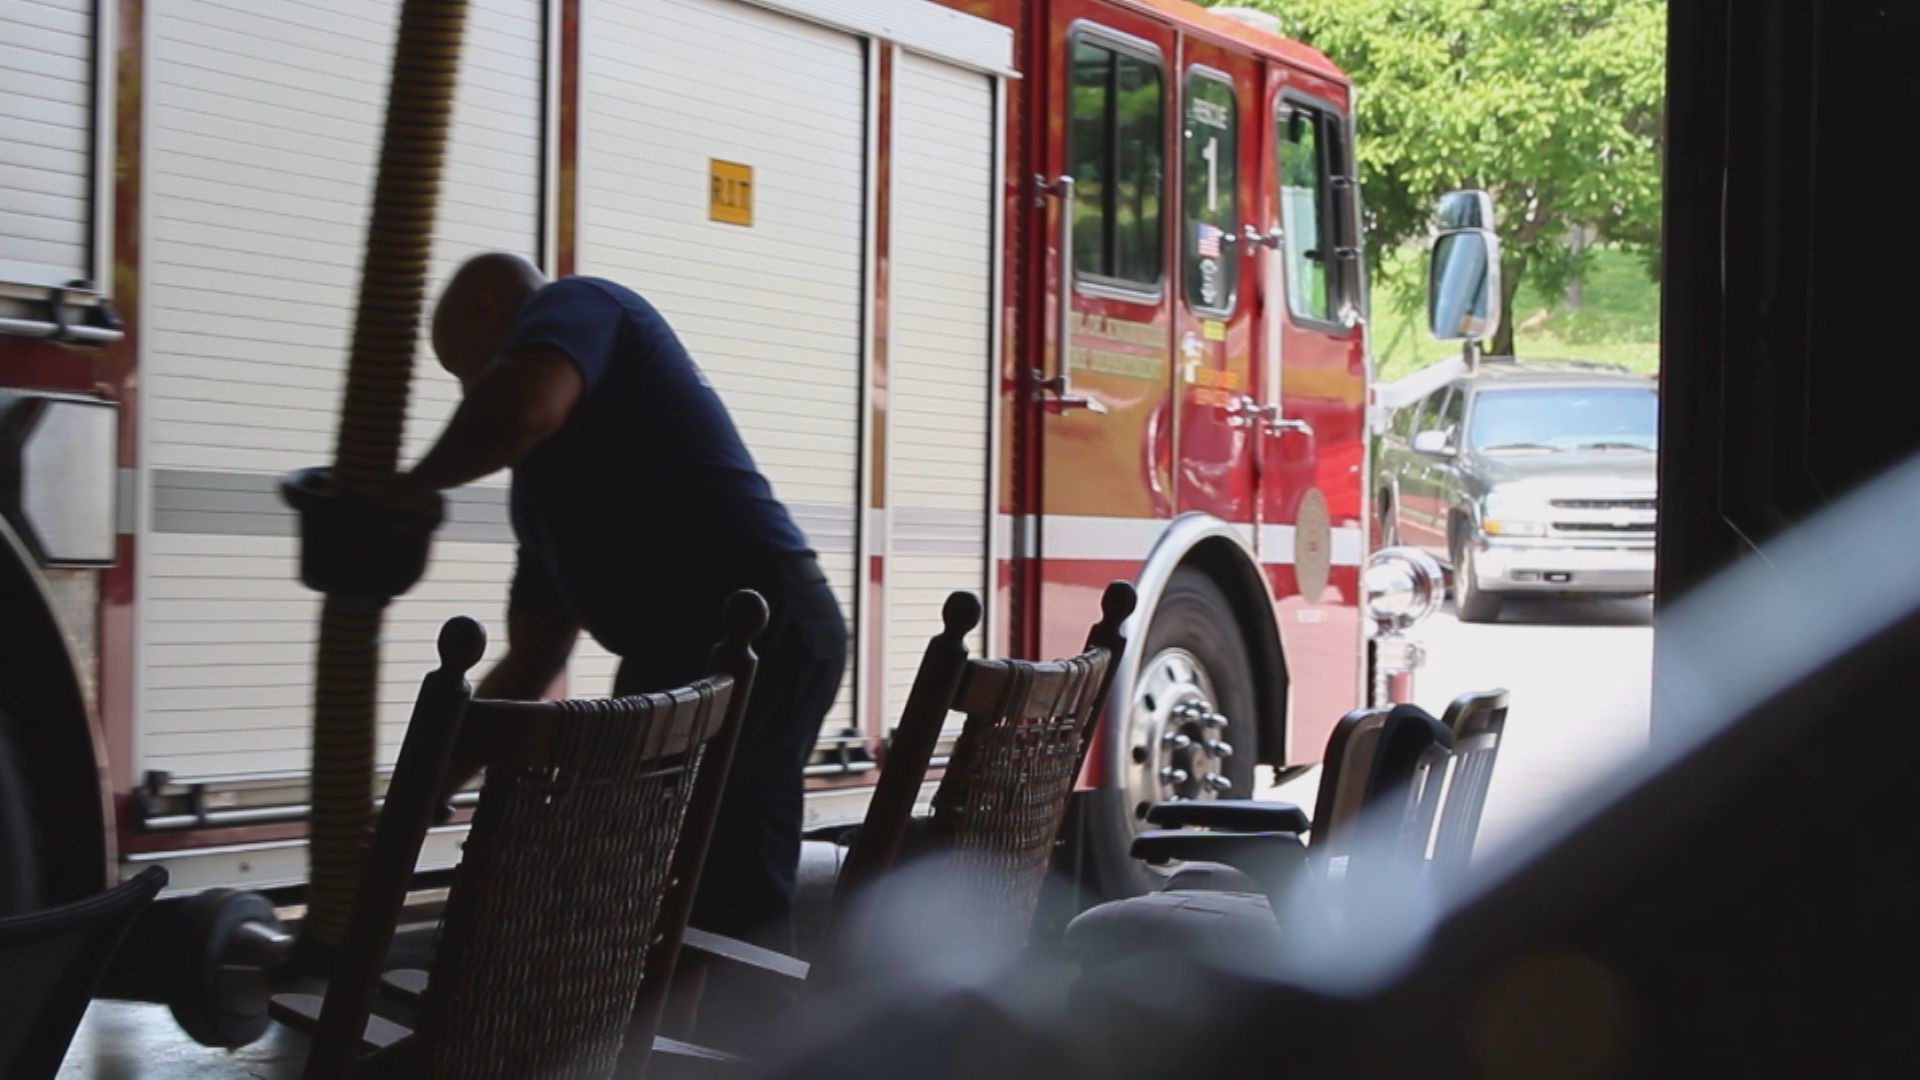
x=55 y=733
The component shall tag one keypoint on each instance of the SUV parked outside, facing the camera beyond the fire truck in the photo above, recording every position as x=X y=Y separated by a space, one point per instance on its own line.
x=1527 y=478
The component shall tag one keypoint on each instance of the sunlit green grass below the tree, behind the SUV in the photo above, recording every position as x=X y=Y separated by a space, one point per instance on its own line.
x=1620 y=318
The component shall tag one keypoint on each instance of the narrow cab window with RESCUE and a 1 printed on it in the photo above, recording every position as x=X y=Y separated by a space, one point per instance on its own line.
x=1211 y=139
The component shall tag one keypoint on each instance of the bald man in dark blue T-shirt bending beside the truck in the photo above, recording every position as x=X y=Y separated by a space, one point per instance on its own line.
x=638 y=512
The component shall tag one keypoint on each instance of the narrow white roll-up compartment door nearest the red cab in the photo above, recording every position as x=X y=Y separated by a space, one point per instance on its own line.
x=940 y=370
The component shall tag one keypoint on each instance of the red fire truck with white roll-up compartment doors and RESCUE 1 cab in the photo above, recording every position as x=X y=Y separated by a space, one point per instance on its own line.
x=1015 y=297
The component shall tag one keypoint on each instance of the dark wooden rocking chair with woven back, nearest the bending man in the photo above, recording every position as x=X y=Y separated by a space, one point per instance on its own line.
x=575 y=885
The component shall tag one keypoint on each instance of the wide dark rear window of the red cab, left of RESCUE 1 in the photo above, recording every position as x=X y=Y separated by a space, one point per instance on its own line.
x=1116 y=159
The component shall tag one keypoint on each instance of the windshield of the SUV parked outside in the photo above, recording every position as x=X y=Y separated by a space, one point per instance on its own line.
x=1573 y=418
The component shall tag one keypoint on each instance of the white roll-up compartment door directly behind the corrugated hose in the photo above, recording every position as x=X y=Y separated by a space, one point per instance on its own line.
x=264 y=134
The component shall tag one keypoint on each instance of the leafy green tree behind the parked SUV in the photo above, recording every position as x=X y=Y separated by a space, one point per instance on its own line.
x=1554 y=107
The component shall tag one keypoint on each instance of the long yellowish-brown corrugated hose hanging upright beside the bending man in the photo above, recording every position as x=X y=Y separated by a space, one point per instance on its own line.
x=372 y=424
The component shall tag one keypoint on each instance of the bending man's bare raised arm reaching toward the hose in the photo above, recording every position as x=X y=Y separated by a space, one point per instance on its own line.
x=512 y=408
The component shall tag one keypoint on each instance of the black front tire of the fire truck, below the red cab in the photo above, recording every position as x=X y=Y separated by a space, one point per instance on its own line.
x=1197 y=618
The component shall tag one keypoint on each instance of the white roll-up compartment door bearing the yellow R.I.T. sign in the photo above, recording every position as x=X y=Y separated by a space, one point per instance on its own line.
x=773 y=308
